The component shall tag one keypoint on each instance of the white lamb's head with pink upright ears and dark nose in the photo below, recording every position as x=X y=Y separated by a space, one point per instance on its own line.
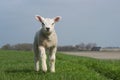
x=47 y=23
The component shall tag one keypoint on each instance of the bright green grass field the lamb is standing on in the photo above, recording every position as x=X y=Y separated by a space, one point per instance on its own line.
x=19 y=65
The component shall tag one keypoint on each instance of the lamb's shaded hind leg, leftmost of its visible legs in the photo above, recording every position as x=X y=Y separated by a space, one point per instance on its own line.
x=36 y=58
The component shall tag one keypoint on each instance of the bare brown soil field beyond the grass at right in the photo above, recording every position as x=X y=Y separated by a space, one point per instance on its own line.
x=98 y=55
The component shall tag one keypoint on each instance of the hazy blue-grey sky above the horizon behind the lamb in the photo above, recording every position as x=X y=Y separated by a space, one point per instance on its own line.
x=88 y=21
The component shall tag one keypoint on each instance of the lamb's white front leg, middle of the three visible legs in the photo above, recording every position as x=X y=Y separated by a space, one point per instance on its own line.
x=43 y=58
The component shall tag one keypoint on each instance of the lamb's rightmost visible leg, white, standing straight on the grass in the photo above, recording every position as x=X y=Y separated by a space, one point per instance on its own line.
x=52 y=59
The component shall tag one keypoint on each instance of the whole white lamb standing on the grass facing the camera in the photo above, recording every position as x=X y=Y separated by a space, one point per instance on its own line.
x=45 y=38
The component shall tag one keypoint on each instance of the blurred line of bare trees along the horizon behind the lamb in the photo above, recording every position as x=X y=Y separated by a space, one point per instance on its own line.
x=78 y=47
